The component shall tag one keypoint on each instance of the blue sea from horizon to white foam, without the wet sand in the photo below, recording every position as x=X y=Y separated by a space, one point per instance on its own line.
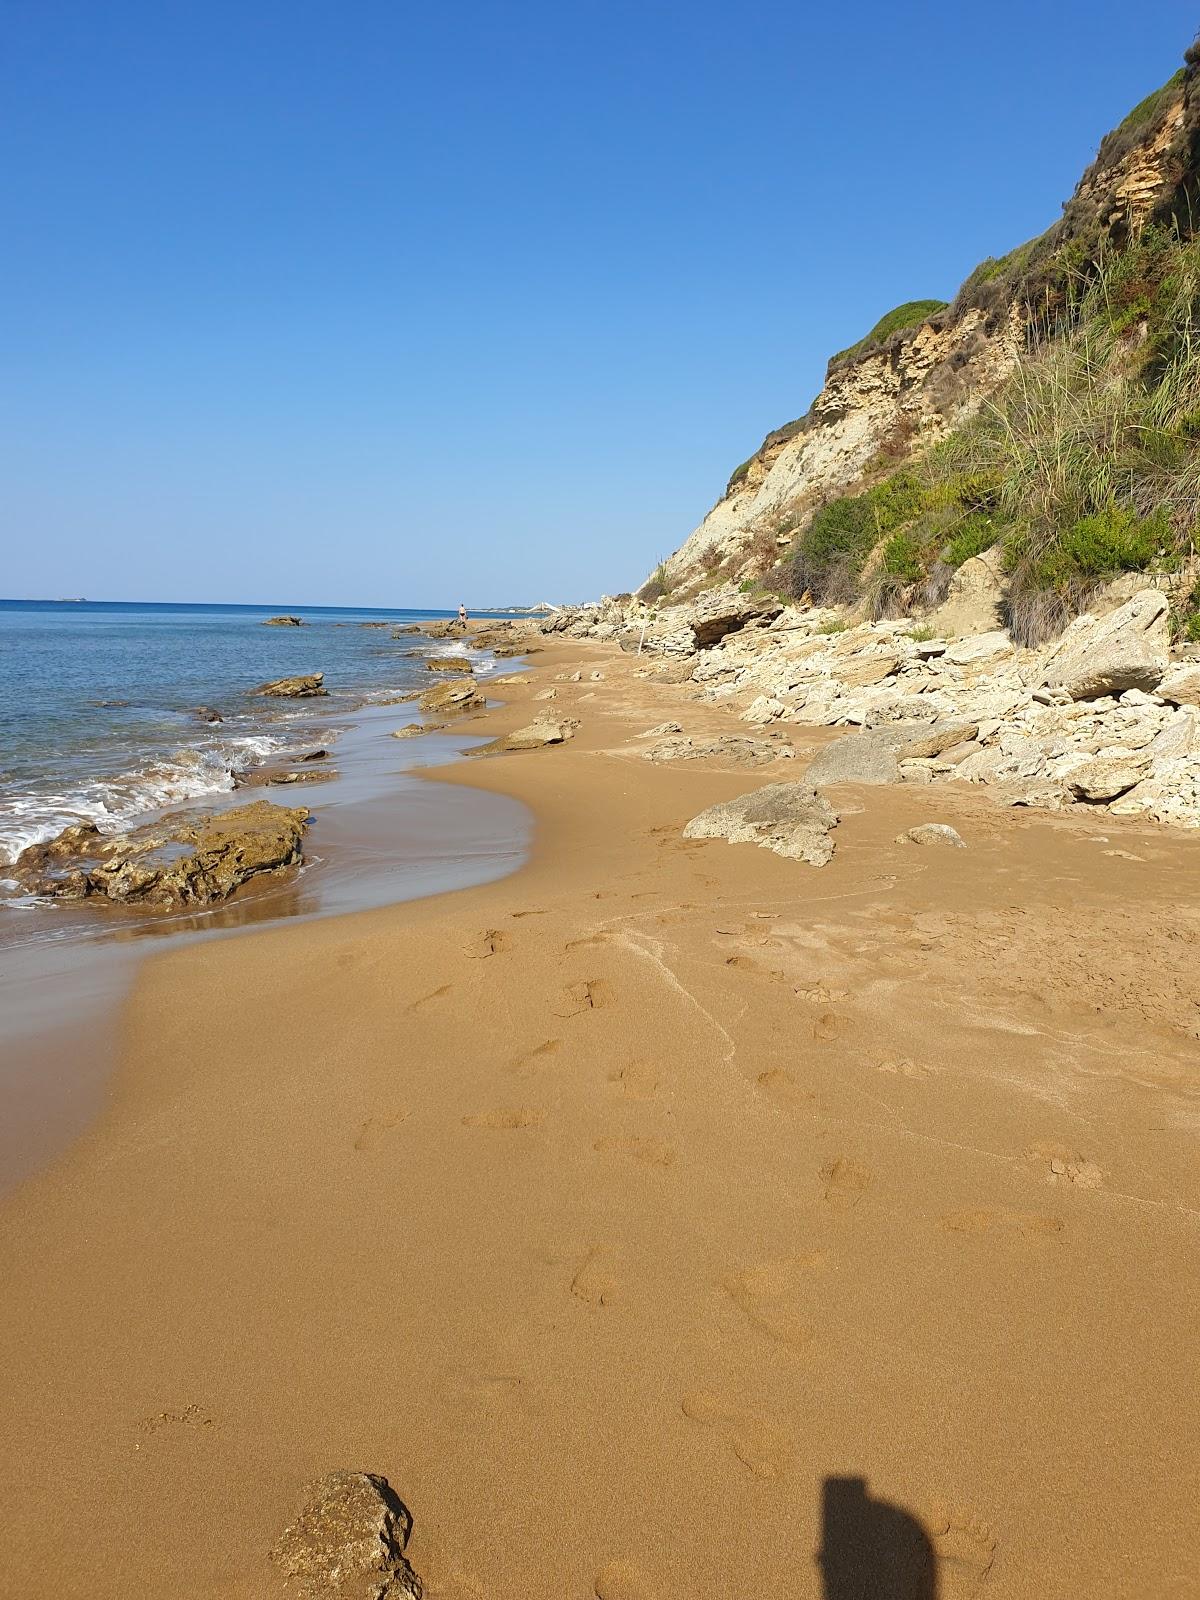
x=98 y=702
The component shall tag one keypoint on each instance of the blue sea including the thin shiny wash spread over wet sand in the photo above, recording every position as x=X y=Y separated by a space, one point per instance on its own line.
x=100 y=722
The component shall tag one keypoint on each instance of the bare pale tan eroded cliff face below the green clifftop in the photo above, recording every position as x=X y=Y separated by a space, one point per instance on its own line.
x=889 y=404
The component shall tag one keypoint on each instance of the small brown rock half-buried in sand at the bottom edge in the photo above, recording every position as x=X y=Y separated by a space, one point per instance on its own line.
x=350 y=1542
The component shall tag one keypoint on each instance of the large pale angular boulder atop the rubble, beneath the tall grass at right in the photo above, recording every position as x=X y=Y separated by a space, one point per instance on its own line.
x=1126 y=650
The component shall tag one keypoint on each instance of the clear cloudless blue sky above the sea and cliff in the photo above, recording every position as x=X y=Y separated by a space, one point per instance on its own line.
x=380 y=303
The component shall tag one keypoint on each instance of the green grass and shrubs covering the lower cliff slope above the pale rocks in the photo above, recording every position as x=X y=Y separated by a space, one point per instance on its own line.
x=1082 y=466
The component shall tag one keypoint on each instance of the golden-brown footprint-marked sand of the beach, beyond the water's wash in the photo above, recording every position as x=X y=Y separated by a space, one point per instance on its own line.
x=614 y=1209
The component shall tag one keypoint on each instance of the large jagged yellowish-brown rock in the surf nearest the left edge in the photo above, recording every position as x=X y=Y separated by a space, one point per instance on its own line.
x=183 y=860
